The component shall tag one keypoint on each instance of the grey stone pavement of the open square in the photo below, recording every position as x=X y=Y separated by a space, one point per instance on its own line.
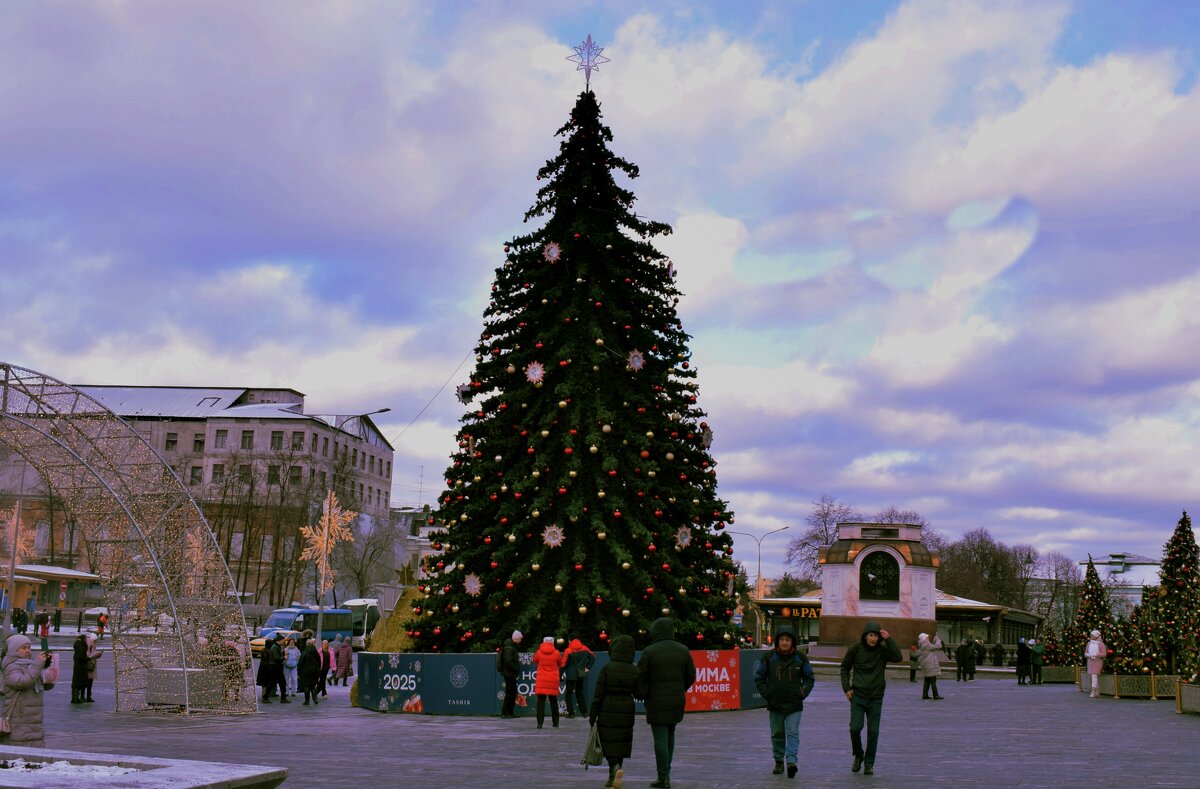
x=991 y=733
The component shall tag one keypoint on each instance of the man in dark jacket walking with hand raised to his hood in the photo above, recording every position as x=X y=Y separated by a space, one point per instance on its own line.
x=865 y=680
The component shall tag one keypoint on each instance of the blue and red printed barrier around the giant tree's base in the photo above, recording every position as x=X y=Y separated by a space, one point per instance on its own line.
x=469 y=684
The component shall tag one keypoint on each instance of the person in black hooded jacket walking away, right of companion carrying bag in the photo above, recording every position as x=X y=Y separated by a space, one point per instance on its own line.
x=668 y=672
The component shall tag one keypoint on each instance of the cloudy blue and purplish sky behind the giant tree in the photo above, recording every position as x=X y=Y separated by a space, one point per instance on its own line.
x=941 y=256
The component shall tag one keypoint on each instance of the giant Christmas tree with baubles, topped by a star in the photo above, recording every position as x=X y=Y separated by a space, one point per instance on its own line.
x=583 y=498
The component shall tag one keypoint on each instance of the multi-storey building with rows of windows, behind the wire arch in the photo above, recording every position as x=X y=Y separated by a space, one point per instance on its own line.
x=261 y=468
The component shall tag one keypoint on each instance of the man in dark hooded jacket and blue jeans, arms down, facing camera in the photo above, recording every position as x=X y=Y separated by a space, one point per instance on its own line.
x=785 y=679
